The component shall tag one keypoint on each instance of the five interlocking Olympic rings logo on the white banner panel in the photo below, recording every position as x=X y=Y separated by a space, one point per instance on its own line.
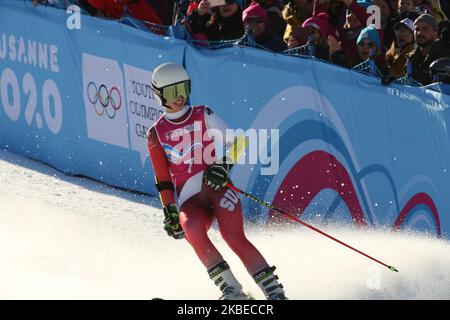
x=105 y=98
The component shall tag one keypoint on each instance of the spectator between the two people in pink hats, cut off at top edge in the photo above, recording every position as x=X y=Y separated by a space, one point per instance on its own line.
x=295 y=13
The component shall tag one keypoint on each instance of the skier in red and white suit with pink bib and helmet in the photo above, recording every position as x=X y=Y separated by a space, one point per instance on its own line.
x=175 y=142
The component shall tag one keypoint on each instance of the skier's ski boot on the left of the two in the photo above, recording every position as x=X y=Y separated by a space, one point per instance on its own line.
x=223 y=278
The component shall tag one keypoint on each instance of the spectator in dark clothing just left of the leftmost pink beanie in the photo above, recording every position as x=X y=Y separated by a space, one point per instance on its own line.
x=218 y=23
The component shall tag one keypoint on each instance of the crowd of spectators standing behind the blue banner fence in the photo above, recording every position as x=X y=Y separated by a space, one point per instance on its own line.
x=409 y=36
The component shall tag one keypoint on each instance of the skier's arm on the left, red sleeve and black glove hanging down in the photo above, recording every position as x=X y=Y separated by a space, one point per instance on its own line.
x=164 y=186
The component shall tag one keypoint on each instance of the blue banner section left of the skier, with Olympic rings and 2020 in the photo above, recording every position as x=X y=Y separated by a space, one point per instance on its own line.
x=80 y=99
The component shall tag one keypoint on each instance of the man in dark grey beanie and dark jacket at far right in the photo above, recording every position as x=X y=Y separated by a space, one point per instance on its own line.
x=429 y=49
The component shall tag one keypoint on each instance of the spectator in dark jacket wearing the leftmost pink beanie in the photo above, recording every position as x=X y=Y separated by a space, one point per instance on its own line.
x=255 y=21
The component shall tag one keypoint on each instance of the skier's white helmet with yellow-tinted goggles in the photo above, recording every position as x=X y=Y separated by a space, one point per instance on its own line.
x=169 y=81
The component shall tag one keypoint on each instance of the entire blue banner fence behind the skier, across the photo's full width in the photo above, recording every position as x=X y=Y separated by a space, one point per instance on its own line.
x=340 y=147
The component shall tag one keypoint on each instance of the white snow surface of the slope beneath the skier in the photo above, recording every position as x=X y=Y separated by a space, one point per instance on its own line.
x=64 y=237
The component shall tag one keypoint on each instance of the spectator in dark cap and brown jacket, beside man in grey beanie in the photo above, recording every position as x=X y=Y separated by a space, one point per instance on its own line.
x=397 y=55
